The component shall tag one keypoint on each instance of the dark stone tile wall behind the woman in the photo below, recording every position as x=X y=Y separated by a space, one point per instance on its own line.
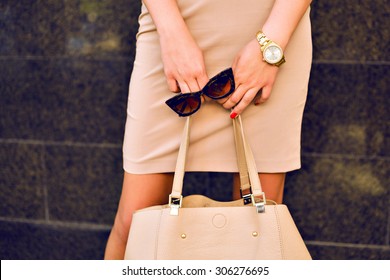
x=64 y=73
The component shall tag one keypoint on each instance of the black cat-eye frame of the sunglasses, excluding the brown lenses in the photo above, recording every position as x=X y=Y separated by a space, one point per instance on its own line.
x=184 y=97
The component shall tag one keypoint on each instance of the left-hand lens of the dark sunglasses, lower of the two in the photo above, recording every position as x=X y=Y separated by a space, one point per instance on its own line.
x=184 y=104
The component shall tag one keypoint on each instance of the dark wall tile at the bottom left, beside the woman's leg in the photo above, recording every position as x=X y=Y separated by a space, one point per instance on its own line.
x=20 y=241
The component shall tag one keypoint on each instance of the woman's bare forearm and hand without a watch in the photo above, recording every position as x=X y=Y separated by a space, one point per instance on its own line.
x=183 y=60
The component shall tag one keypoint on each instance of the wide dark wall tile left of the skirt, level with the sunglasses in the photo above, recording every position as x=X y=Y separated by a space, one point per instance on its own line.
x=77 y=100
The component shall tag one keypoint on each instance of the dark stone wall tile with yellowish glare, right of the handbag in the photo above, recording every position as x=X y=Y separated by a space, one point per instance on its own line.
x=340 y=200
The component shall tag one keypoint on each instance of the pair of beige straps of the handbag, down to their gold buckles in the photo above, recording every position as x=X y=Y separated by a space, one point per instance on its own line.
x=250 y=184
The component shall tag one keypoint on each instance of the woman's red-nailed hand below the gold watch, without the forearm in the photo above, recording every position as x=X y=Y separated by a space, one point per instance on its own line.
x=251 y=75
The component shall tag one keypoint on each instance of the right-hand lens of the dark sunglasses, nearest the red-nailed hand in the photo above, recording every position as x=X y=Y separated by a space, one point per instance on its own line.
x=220 y=86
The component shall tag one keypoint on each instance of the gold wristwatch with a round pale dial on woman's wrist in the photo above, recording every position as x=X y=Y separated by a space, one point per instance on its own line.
x=272 y=52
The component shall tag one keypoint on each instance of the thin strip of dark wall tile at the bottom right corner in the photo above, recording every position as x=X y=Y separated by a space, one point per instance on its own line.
x=319 y=252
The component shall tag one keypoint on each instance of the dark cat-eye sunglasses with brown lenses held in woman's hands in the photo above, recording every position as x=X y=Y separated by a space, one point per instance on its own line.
x=219 y=86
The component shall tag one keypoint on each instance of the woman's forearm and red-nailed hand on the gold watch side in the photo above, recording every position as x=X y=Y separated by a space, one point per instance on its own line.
x=251 y=73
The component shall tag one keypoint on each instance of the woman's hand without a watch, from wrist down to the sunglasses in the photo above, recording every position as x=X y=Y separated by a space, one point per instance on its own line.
x=183 y=61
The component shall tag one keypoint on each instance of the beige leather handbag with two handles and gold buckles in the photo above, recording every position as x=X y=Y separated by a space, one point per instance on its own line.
x=196 y=227
